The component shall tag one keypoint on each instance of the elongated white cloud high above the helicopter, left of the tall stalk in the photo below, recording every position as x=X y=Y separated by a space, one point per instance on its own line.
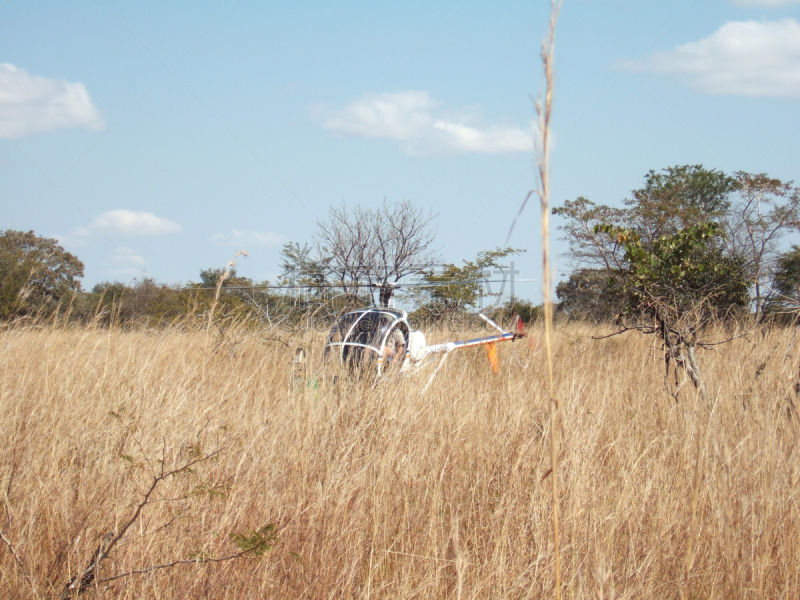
x=417 y=120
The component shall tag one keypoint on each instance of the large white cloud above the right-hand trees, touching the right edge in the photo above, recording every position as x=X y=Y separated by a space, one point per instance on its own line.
x=743 y=58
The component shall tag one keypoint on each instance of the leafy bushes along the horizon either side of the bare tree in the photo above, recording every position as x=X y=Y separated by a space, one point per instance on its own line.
x=36 y=274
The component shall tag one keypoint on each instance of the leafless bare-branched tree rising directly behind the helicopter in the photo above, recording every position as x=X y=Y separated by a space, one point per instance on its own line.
x=375 y=248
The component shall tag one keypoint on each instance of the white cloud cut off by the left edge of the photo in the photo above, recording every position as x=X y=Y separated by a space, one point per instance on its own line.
x=33 y=104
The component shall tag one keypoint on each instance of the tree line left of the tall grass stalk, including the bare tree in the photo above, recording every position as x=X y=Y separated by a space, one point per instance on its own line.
x=356 y=258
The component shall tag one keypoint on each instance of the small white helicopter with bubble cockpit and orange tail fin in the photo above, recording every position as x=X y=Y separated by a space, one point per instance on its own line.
x=359 y=338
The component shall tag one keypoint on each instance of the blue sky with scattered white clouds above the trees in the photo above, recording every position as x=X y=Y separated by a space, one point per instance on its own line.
x=159 y=138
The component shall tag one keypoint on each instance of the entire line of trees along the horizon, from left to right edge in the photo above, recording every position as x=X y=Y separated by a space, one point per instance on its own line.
x=691 y=238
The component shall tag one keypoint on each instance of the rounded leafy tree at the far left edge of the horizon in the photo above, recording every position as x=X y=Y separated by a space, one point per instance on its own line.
x=36 y=273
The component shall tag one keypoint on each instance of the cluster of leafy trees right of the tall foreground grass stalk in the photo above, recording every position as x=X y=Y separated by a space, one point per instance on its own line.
x=689 y=237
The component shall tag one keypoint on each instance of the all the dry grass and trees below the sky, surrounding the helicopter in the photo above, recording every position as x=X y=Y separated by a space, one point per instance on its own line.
x=164 y=441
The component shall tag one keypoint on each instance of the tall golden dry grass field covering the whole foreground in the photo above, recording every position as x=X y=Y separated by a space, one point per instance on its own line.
x=383 y=492
